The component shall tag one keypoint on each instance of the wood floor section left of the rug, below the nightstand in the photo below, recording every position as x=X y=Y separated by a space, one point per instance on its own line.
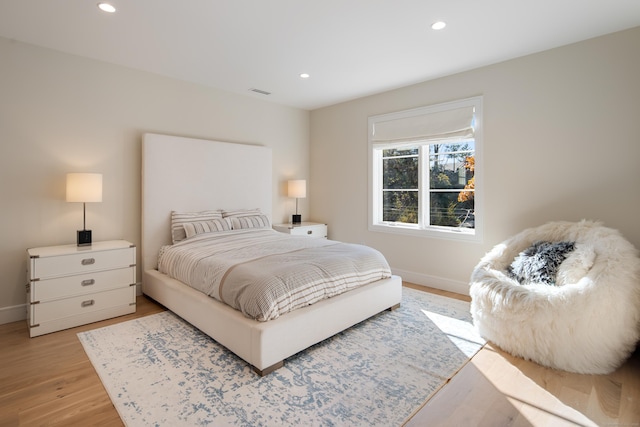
x=49 y=380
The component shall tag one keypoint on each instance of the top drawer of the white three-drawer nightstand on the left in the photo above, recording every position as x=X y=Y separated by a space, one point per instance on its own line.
x=64 y=265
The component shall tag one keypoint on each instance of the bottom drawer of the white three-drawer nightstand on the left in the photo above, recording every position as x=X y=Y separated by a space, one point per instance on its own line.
x=80 y=305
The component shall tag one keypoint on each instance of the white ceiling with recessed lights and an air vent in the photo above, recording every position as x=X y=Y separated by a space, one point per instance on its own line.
x=350 y=48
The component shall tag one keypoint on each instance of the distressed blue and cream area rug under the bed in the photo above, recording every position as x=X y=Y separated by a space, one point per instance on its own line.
x=161 y=371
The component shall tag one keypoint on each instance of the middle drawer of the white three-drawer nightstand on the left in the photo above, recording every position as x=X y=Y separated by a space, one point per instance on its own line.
x=87 y=283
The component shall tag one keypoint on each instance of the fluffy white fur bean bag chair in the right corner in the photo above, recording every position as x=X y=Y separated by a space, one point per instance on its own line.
x=588 y=321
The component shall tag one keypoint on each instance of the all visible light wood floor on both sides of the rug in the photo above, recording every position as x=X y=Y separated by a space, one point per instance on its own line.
x=49 y=380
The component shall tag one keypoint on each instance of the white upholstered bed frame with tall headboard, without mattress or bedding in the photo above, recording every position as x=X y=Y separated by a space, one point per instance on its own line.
x=194 y=175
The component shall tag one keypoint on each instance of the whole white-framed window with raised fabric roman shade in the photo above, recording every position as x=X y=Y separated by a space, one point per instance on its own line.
x=425 y=171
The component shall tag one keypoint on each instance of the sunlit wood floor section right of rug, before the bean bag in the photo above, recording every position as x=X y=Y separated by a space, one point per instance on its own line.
x=497 y=389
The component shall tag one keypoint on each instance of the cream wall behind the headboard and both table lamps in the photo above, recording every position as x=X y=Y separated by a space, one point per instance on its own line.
x=61 y=113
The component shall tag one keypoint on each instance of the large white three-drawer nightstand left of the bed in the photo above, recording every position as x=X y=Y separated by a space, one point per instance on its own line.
x=74 y=285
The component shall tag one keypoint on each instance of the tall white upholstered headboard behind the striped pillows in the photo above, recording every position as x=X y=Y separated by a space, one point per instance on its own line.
x=188 y=175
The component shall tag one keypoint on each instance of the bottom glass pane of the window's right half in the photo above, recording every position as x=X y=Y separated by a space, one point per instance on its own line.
x=448 y=211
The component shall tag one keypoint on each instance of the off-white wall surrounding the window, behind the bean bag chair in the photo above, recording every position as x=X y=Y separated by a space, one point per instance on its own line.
x=561 y=142
